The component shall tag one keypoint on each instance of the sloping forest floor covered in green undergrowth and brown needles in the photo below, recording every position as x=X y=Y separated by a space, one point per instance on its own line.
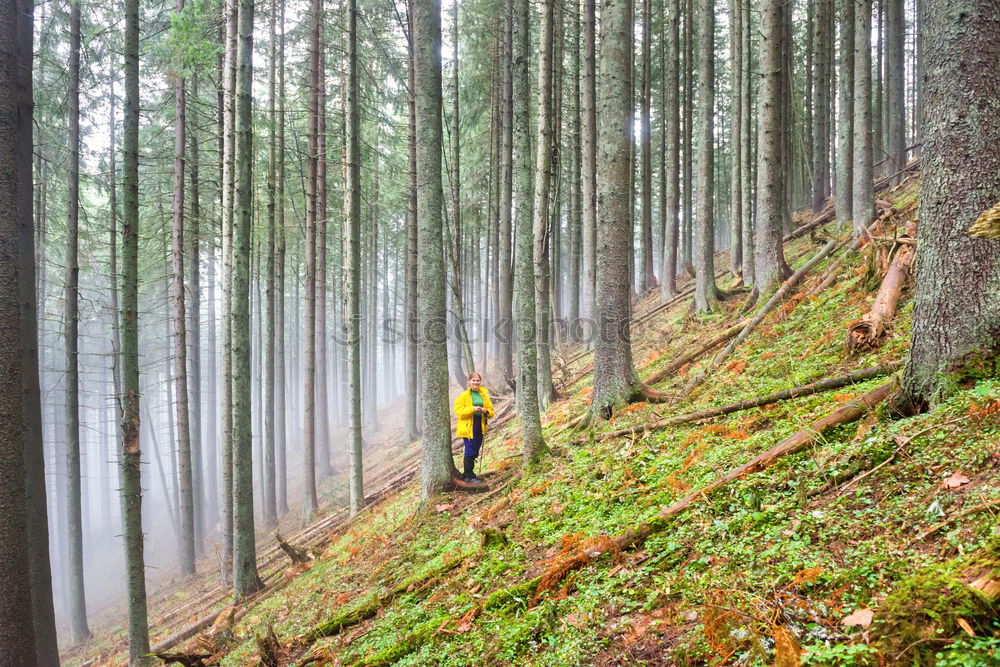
x=876 y=544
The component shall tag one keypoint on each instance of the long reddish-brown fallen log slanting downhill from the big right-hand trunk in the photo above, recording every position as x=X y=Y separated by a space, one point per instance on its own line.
x=636 y=535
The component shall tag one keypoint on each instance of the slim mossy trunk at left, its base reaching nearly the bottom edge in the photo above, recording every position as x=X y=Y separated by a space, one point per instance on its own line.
x=131 y=482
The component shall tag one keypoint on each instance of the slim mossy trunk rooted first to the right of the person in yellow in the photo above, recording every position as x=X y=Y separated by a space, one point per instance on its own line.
x=533 y=446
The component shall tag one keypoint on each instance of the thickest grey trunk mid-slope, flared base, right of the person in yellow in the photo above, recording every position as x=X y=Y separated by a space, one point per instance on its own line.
x=614 y=373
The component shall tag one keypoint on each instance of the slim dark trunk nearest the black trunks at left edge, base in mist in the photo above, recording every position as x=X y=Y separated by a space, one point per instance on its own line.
x=79 y=631
